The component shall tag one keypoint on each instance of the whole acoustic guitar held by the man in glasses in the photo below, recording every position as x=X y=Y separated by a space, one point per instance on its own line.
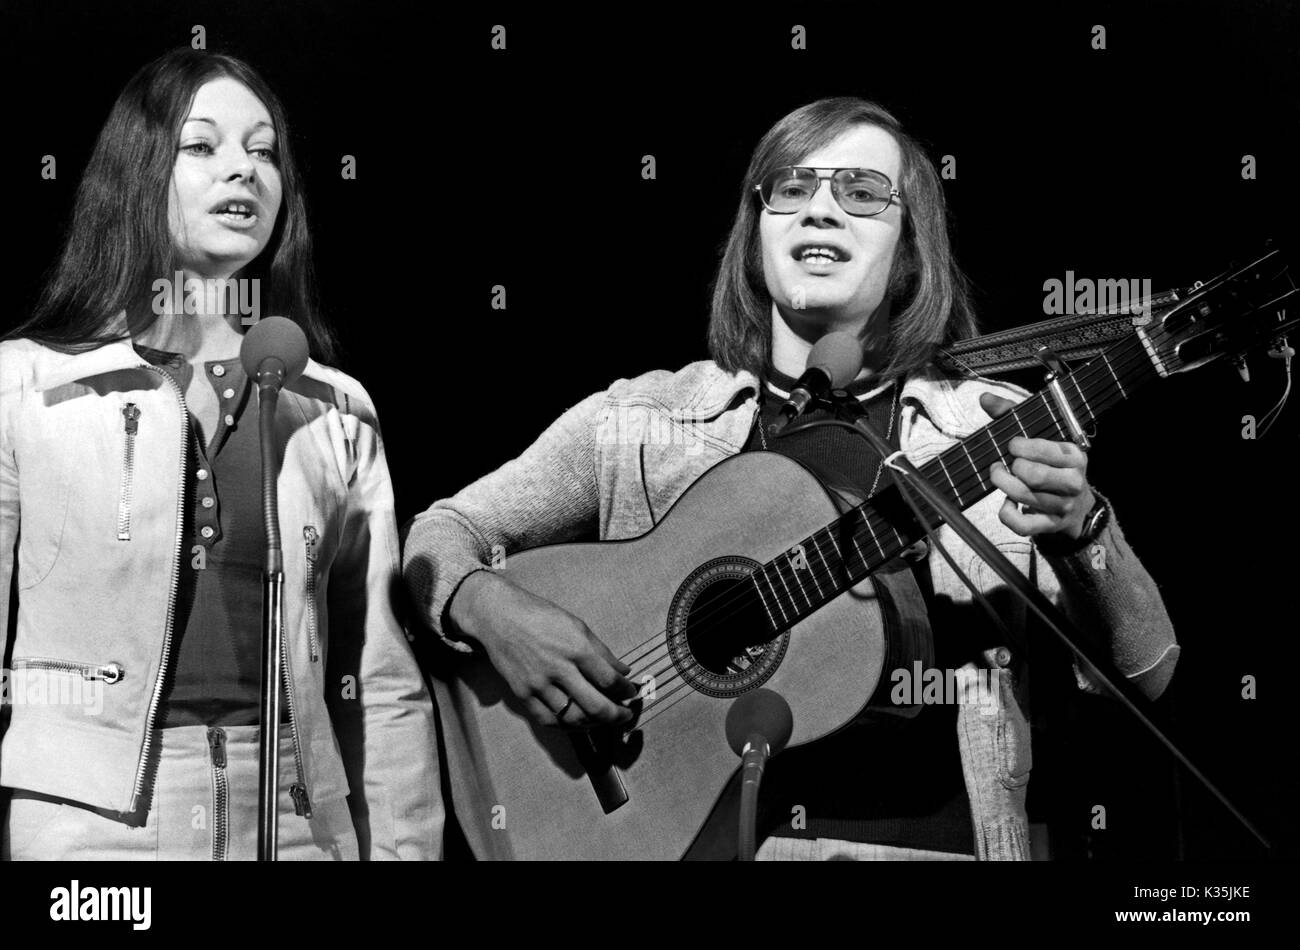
x=709 y=605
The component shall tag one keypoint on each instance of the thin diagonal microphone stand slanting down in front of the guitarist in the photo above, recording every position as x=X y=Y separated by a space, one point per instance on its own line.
x=1095 y=662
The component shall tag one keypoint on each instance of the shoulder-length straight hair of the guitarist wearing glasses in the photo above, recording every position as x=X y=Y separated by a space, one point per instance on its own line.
x=928 y=292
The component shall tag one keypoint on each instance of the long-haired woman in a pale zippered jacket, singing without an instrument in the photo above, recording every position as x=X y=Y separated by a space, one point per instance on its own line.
x=131 y=481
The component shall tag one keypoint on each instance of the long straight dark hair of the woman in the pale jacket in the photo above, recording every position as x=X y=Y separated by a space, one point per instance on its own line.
x=119 y=242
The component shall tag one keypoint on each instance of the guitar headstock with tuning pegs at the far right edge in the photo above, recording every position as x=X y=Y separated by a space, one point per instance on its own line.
x=1243 y=309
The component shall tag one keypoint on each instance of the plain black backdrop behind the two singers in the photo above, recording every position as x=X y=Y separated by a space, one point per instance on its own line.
x=523 y=168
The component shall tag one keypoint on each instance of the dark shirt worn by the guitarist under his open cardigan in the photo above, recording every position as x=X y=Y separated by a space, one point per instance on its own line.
x=892 y=783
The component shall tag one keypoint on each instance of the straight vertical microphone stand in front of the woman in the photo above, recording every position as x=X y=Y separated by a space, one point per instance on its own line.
x=271 y=378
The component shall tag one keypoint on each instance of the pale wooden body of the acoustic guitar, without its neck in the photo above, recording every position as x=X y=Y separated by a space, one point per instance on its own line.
x=526 y=792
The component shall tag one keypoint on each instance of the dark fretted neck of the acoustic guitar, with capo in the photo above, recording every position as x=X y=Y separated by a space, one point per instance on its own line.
x=831 y=561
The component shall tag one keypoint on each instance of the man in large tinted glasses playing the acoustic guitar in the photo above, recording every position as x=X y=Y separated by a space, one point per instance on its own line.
x=840 y=228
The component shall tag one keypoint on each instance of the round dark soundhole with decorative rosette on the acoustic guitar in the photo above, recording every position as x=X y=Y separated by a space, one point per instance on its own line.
x=718 y=631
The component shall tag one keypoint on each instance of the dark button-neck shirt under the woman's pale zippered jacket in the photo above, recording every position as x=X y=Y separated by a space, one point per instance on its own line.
x=216 y=665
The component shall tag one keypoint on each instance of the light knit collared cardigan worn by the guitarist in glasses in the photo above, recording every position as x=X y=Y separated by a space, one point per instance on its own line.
x=618 y=461
